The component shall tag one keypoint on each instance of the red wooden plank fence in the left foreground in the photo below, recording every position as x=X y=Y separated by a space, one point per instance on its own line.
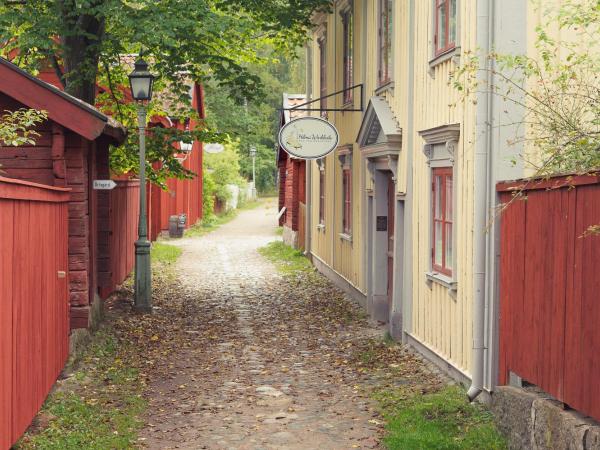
x=34 y=301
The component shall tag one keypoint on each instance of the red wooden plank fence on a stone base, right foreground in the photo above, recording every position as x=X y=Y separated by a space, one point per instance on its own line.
x=550 y=289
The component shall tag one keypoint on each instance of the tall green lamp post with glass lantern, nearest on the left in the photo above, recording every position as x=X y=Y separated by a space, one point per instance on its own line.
x=141 y=81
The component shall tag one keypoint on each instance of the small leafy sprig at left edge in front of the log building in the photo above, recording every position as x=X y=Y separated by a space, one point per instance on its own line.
x=17 y=127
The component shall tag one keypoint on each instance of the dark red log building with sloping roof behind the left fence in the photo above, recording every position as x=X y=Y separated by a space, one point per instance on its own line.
x=71 y=151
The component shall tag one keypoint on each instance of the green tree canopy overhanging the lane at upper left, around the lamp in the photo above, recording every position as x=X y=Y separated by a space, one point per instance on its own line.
x=84 y=41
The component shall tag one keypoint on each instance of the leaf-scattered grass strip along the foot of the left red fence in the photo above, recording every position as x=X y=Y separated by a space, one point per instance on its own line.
x=98 y=408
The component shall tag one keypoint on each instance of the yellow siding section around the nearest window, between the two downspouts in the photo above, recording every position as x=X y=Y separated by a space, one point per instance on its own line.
x=441 y=320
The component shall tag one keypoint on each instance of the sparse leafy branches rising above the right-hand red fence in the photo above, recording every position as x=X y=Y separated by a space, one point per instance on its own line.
x=557 y=89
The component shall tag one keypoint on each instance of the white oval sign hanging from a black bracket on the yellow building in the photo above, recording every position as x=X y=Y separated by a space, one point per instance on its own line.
x=308 y=137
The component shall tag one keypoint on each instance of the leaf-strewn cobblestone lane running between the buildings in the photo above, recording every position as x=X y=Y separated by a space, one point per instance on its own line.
x=264 y=375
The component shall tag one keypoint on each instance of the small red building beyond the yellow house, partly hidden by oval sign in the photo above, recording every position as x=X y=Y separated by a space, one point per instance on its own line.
x=292 y=182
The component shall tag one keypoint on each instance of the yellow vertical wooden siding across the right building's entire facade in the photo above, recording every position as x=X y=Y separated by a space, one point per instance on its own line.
x=440 y=319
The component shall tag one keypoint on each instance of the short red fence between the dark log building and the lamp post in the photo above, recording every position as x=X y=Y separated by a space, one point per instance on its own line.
x=124 y=206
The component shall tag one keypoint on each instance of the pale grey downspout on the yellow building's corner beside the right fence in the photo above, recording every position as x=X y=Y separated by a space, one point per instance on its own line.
x=481 y=189
